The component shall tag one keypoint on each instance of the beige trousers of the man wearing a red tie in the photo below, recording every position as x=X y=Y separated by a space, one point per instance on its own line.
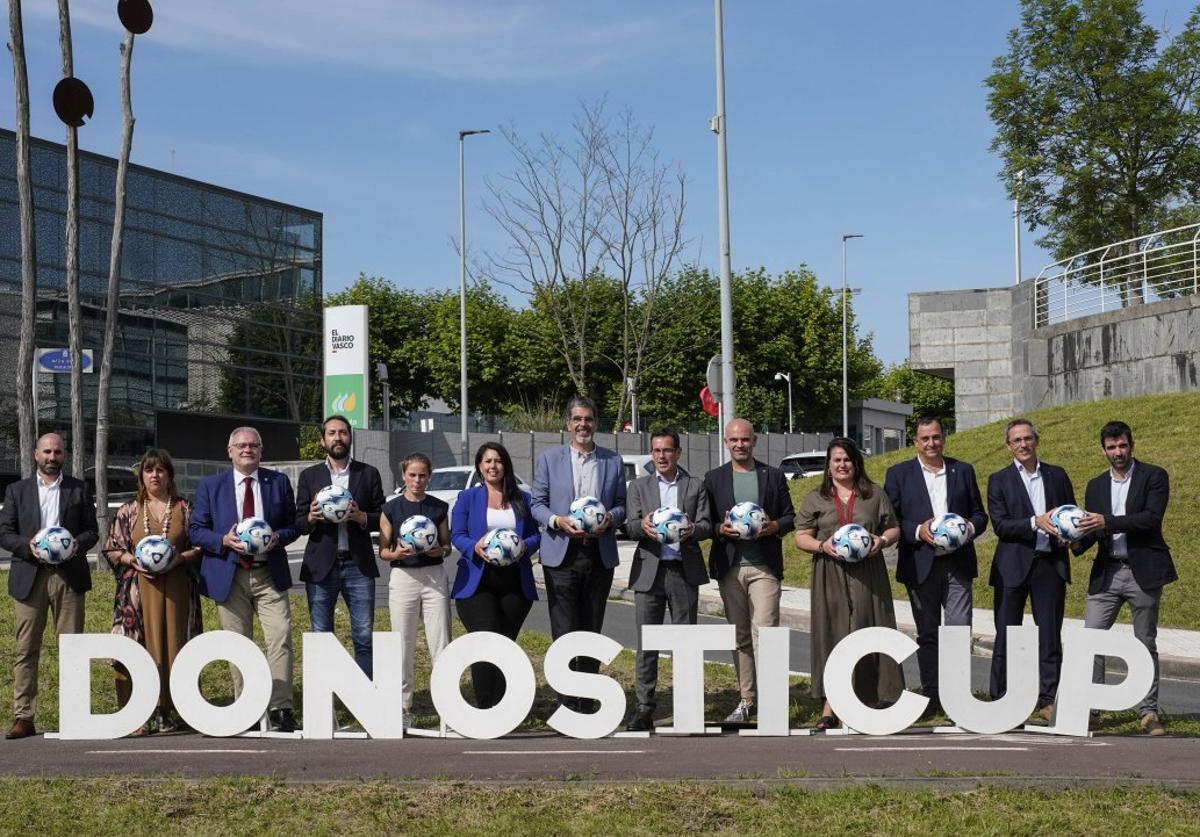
x=253 y=593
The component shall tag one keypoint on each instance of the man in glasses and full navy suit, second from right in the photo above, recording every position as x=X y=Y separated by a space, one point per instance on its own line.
x=1031 y=561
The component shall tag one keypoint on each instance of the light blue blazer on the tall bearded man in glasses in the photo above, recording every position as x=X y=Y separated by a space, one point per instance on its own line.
x=554 y=490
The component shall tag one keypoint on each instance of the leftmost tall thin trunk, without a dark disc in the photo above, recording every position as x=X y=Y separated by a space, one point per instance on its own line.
x=28 y=245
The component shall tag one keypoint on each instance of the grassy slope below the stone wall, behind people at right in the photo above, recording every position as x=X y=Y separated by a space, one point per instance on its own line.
x=1165 y=429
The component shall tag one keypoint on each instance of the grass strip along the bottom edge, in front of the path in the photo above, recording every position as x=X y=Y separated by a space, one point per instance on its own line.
x=266 y=806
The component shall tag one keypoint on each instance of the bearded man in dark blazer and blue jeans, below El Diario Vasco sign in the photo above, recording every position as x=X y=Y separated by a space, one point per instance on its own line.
x=339 y=557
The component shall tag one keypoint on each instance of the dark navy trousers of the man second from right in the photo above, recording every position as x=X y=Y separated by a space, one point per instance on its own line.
x=1048 y=592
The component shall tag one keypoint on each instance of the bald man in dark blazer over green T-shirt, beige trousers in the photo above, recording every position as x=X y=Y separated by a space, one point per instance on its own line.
x=749 y=573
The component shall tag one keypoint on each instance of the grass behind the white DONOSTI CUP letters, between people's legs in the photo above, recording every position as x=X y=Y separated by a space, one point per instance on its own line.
x=721 y=685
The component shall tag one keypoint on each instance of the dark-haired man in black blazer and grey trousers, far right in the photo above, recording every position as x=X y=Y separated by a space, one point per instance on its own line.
x=1133 y=564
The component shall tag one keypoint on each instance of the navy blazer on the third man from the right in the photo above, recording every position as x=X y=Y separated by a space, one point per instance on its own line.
x=905 y=486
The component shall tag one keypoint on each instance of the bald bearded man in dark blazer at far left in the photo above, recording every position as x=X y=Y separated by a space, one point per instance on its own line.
x=46 y=499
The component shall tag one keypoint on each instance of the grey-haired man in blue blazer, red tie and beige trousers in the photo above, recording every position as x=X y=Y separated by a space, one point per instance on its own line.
x=243 y=585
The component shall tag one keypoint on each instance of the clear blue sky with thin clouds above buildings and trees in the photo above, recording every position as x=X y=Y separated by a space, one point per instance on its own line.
x=843 y=118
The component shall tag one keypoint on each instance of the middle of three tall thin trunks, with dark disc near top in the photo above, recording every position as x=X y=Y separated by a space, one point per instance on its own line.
x=74 y=309
